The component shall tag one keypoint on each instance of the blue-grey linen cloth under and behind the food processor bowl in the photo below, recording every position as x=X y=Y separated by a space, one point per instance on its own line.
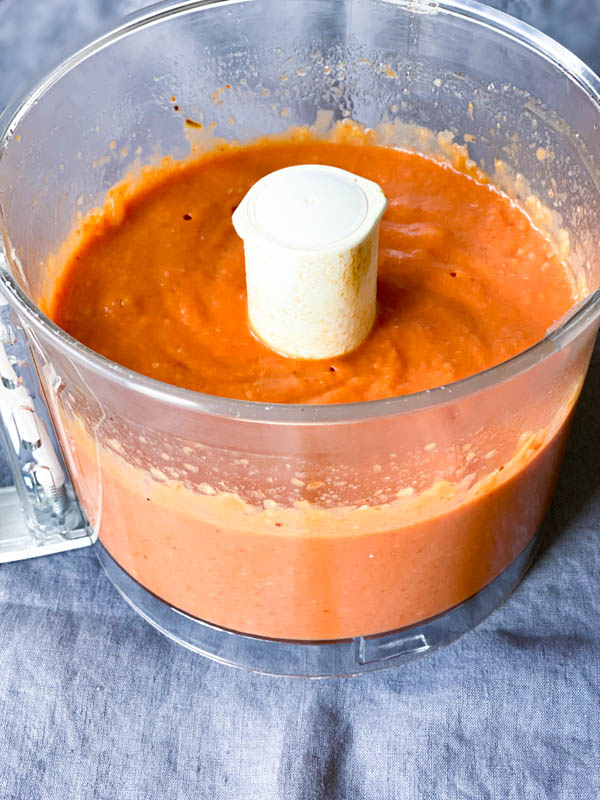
x=95 y=704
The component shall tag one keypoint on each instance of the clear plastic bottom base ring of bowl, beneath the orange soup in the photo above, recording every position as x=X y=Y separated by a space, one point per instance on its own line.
x=343 y=657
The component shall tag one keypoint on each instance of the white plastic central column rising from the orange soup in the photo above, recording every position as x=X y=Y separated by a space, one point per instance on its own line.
x=311 y=237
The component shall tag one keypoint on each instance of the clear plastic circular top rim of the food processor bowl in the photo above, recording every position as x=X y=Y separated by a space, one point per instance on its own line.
x=583 y=315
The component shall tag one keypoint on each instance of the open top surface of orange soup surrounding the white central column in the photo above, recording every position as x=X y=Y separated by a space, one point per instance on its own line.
x=465 y=281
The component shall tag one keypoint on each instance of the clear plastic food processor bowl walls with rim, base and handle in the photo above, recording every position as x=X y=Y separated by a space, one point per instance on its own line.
x=216 y=518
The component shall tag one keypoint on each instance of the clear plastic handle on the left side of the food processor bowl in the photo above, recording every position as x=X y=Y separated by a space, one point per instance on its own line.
x=40 y=514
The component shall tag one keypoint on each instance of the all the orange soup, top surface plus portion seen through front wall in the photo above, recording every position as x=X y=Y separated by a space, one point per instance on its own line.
x=465 y=281
